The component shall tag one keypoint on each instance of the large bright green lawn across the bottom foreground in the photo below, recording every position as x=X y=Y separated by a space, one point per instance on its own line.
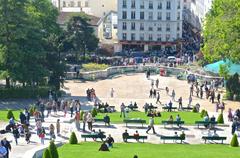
x=123 y=150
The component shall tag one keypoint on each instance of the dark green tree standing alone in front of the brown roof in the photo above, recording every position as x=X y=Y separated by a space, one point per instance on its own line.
x=81 y=34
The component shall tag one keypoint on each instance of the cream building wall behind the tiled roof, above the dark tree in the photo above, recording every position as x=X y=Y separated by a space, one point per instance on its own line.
x=98 y=8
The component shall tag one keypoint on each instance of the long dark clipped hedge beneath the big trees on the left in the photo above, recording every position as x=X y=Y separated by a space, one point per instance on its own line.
x=24 y=92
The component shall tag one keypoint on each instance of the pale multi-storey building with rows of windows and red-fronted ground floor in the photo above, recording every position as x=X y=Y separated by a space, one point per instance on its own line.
x=149 y=24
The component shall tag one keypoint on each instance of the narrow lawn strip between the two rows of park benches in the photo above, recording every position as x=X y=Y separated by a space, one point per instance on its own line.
x=188 y=117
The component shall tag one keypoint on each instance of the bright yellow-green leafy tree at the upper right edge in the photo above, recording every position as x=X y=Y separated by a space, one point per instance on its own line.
x=222 y=31
